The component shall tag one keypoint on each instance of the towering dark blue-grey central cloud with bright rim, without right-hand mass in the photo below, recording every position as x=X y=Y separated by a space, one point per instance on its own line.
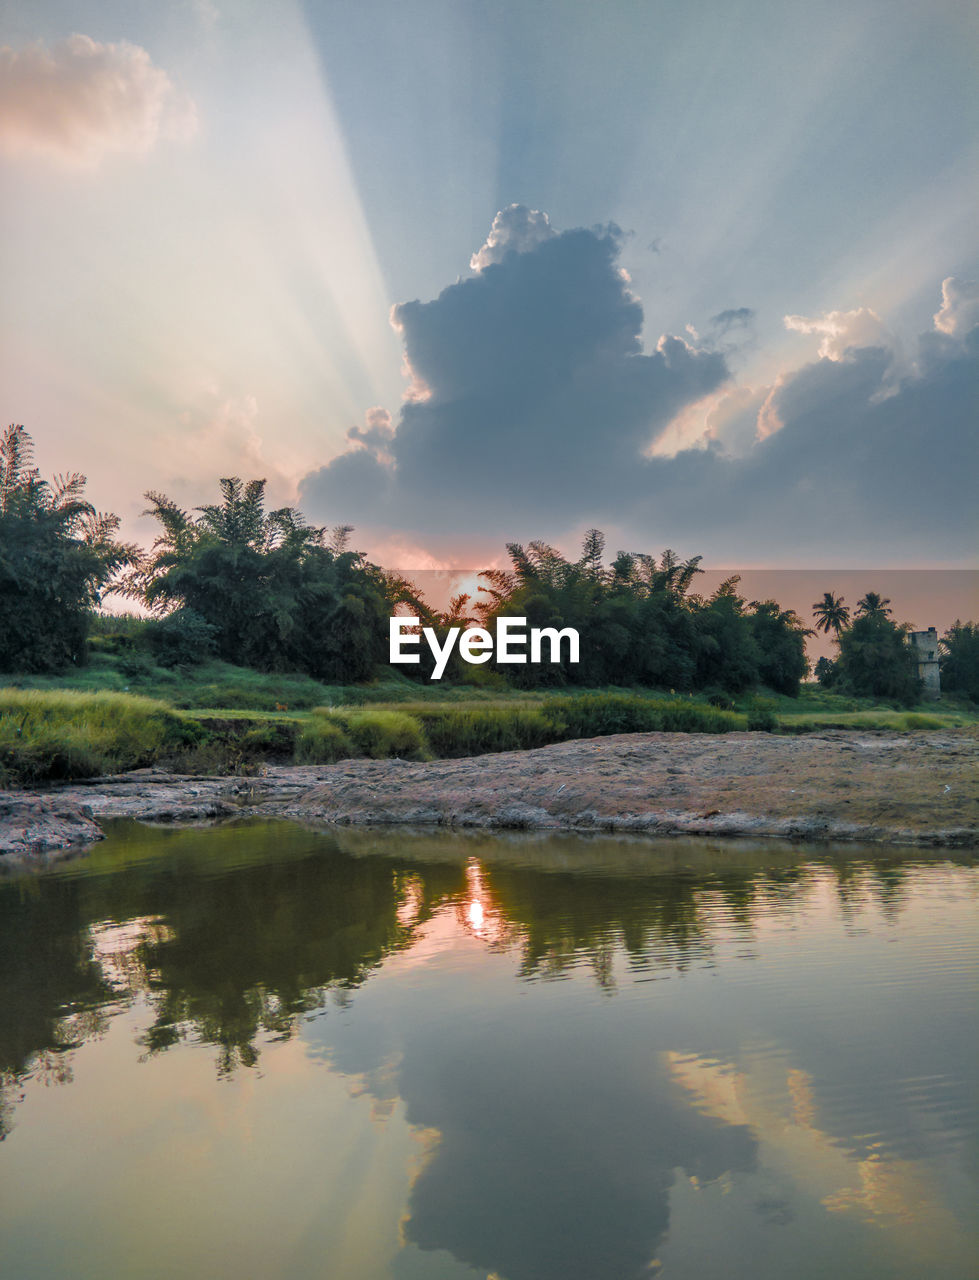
x=530 y=369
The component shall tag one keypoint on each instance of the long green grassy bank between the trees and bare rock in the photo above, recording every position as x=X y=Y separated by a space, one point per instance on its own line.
x=217 y=719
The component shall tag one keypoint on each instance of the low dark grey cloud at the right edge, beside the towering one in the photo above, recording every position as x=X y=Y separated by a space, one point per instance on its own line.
x=858 y=468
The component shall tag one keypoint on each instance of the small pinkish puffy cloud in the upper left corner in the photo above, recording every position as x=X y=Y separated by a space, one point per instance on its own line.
x=80 y=102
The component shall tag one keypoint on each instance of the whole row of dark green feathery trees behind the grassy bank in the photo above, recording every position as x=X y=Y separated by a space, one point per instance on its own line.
x=267 y=589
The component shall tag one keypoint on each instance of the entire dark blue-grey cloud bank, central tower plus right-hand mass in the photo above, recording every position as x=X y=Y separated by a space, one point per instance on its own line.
x=534 y=408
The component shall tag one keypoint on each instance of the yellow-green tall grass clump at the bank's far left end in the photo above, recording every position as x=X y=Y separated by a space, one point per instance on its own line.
x=62 y=734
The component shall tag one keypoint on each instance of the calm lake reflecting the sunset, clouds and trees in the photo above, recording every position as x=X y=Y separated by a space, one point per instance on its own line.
x=254 y=1050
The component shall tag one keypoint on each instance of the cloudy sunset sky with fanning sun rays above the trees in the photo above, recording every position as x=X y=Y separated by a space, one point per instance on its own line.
x=458 y=275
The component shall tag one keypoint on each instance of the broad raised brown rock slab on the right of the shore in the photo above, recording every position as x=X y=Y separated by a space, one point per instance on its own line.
x=908 y=789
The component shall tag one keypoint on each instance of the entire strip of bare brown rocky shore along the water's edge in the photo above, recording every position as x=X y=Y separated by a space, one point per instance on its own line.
x=887 y=788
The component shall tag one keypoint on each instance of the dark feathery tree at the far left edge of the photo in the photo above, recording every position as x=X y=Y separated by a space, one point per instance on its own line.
x=58 y=559
